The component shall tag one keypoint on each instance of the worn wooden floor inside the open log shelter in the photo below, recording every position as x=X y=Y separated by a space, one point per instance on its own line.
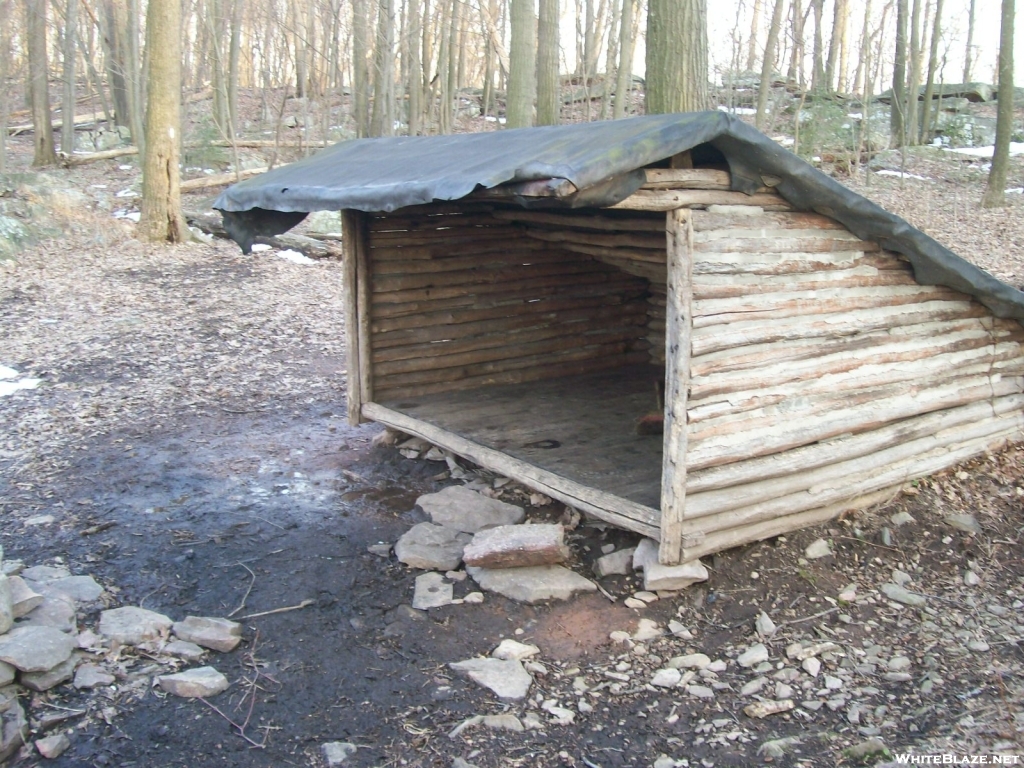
x=580 y=428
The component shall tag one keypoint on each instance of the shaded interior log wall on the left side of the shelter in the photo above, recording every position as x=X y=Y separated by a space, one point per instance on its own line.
x=460 y=298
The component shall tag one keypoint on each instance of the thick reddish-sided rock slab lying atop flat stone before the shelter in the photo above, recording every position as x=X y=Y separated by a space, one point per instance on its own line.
x=518 y=546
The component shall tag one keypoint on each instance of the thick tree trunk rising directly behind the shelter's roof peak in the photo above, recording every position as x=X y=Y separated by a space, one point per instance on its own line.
x=677 y=57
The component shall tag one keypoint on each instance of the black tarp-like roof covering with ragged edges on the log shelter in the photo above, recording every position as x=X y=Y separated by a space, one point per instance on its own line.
x=385 y=175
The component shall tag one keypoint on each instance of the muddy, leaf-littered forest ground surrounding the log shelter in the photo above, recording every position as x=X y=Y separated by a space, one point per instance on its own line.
x=188 y=448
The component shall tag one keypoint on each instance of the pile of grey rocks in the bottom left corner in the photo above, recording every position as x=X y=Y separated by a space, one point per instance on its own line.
x=42 y=648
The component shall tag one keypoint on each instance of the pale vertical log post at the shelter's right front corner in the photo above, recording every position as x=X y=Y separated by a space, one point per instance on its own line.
x=679 y=323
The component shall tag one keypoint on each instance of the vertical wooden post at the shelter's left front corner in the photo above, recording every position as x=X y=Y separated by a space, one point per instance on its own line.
x=357 y=297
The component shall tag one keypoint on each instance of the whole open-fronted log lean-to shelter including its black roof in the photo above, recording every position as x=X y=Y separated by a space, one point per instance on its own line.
x=526 y=300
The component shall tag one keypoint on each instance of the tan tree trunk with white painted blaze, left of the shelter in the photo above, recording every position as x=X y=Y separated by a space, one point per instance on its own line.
x=161 y=220
